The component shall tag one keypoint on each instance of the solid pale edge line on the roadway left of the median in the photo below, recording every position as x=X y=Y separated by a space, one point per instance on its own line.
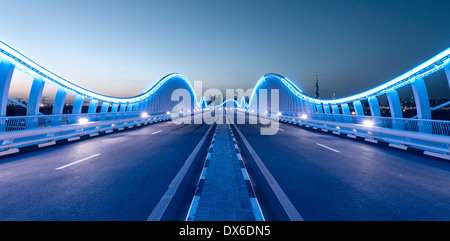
x=165 y=200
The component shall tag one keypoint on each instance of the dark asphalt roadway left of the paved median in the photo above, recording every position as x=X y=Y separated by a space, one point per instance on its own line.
x=119 y=176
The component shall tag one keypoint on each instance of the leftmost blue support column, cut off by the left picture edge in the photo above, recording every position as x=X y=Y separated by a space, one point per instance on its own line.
x=6 y=72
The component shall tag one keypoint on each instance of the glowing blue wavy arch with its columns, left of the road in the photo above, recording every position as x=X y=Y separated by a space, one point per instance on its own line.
x=157 y=98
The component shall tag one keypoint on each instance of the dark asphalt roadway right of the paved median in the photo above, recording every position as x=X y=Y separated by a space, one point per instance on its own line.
x=328 y=177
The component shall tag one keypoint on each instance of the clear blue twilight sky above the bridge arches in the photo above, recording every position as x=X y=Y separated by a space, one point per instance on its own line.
x=121 y=47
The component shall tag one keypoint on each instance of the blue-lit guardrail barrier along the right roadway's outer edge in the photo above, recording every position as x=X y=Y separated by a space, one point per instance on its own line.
x=427 y=135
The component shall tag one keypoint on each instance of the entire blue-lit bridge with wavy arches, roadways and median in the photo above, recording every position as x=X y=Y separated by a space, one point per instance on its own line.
x=272 y=153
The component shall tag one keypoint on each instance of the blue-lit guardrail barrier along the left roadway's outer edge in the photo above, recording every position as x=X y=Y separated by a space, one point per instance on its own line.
x=23 y=131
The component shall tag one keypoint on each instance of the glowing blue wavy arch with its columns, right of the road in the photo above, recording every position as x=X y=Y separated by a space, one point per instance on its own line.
x=293 y=101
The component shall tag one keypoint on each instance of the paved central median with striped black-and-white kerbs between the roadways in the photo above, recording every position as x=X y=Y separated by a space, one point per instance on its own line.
x=223 y=192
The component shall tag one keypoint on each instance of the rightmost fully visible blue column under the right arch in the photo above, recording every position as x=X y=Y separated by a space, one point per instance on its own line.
x=421 y=99
